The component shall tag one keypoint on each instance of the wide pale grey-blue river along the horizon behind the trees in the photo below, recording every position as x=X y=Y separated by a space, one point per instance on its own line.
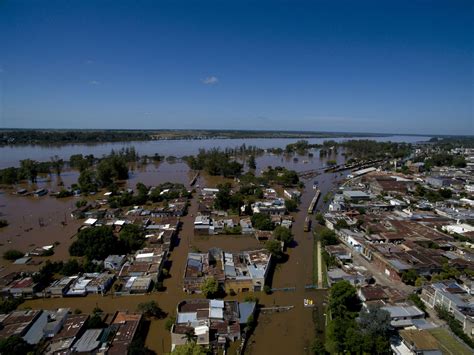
x=11 y=155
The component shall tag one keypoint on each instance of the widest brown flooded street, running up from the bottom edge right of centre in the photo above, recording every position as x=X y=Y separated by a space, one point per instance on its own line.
x=293 y=331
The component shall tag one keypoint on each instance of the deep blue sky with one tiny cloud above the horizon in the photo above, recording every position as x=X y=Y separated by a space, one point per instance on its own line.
x=361 y=66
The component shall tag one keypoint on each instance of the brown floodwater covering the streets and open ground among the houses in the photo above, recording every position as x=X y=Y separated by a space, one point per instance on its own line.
x=289 y=332
